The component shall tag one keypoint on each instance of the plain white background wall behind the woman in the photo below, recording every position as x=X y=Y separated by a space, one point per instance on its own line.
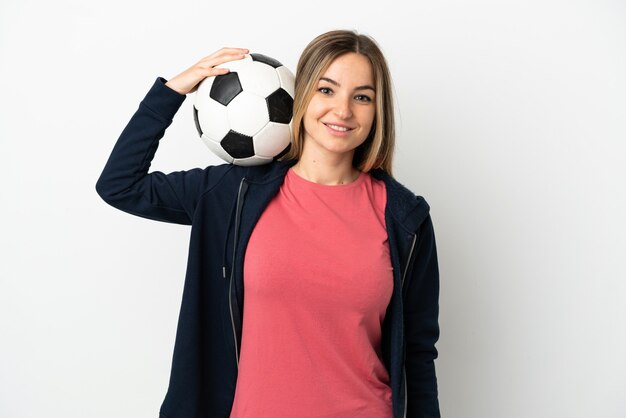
x=511 y=124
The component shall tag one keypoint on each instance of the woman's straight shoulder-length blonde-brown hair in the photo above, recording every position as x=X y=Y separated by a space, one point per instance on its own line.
x=377 y=150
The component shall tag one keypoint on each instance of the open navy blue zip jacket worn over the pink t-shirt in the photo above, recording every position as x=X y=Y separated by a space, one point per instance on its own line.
x=222 y=204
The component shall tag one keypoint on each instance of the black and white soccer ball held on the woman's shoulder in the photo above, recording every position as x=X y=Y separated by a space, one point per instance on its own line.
x=244 y=116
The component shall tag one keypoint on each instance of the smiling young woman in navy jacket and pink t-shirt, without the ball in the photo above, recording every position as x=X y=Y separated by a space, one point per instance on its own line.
x=336 y=259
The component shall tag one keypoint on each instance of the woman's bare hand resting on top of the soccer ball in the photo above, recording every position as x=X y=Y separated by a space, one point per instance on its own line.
x=188 y=80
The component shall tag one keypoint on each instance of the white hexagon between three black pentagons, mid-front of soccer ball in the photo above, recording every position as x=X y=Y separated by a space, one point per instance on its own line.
x=247 y=113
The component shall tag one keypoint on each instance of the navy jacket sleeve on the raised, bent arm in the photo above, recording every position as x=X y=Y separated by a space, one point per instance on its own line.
x=125 y=182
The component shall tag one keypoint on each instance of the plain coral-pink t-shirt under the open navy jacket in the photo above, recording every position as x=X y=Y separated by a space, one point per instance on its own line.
x=317 y=283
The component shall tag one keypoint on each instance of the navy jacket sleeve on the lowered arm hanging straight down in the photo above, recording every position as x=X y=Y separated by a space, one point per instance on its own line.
x=422 y=326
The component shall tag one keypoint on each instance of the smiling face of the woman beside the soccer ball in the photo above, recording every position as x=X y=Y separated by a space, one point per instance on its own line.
x=341 y=112
